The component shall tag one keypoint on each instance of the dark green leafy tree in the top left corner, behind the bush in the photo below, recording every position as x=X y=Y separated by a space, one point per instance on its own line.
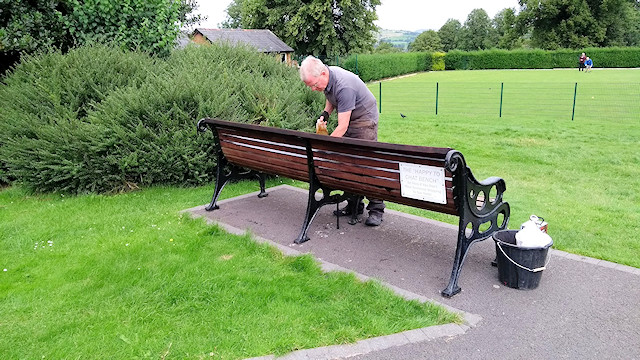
x=151 y=25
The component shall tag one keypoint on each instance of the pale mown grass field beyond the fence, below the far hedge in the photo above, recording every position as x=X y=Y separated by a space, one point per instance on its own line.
x=531 y=94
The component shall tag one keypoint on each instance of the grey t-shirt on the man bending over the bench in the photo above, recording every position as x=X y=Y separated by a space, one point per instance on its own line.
x=346 y=92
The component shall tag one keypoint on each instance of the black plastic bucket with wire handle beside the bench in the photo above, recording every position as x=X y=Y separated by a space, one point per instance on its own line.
x=519 y=267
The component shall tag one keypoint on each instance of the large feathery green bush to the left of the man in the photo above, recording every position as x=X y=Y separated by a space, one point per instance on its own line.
x=101 y=119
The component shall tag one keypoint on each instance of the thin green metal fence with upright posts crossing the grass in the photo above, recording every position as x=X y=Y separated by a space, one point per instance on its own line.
x=566 y=101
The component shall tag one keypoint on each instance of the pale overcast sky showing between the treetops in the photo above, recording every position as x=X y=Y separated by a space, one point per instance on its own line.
x=392 y=14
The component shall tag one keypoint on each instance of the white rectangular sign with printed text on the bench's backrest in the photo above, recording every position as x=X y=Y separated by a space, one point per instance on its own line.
x=423 y=182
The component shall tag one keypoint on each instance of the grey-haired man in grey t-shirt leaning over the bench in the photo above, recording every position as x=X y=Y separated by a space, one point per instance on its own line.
x=357 y=112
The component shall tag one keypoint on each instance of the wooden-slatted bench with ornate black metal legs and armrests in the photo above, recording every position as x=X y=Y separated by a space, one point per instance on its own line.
x=430 y=178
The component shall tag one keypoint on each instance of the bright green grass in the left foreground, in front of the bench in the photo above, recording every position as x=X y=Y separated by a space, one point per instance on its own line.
x=128 y=277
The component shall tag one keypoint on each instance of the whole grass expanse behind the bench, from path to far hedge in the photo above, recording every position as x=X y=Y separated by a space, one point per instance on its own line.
x=582 y=176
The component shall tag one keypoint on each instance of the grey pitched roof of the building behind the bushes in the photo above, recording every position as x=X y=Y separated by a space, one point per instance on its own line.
x=263 y=40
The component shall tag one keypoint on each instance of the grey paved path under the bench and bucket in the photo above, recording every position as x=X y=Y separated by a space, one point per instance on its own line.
x=583 y=309
